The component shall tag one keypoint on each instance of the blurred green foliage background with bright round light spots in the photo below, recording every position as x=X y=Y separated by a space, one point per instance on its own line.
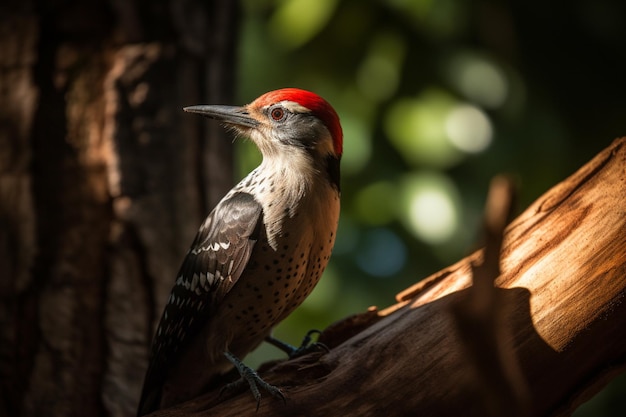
x=435 y=98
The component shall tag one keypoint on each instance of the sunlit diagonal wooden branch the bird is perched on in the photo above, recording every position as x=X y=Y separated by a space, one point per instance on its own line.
x=553 y=323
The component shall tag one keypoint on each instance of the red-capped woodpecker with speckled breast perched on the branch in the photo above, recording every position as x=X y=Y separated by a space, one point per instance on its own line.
x=258 y=254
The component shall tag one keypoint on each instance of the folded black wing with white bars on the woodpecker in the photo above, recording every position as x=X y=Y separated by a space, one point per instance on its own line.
x=217 y=257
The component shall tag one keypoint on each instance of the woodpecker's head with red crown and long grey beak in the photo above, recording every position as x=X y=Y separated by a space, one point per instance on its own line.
x=283 y=122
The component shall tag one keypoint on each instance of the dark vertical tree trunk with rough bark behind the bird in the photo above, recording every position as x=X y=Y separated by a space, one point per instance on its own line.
x=103 y=182
